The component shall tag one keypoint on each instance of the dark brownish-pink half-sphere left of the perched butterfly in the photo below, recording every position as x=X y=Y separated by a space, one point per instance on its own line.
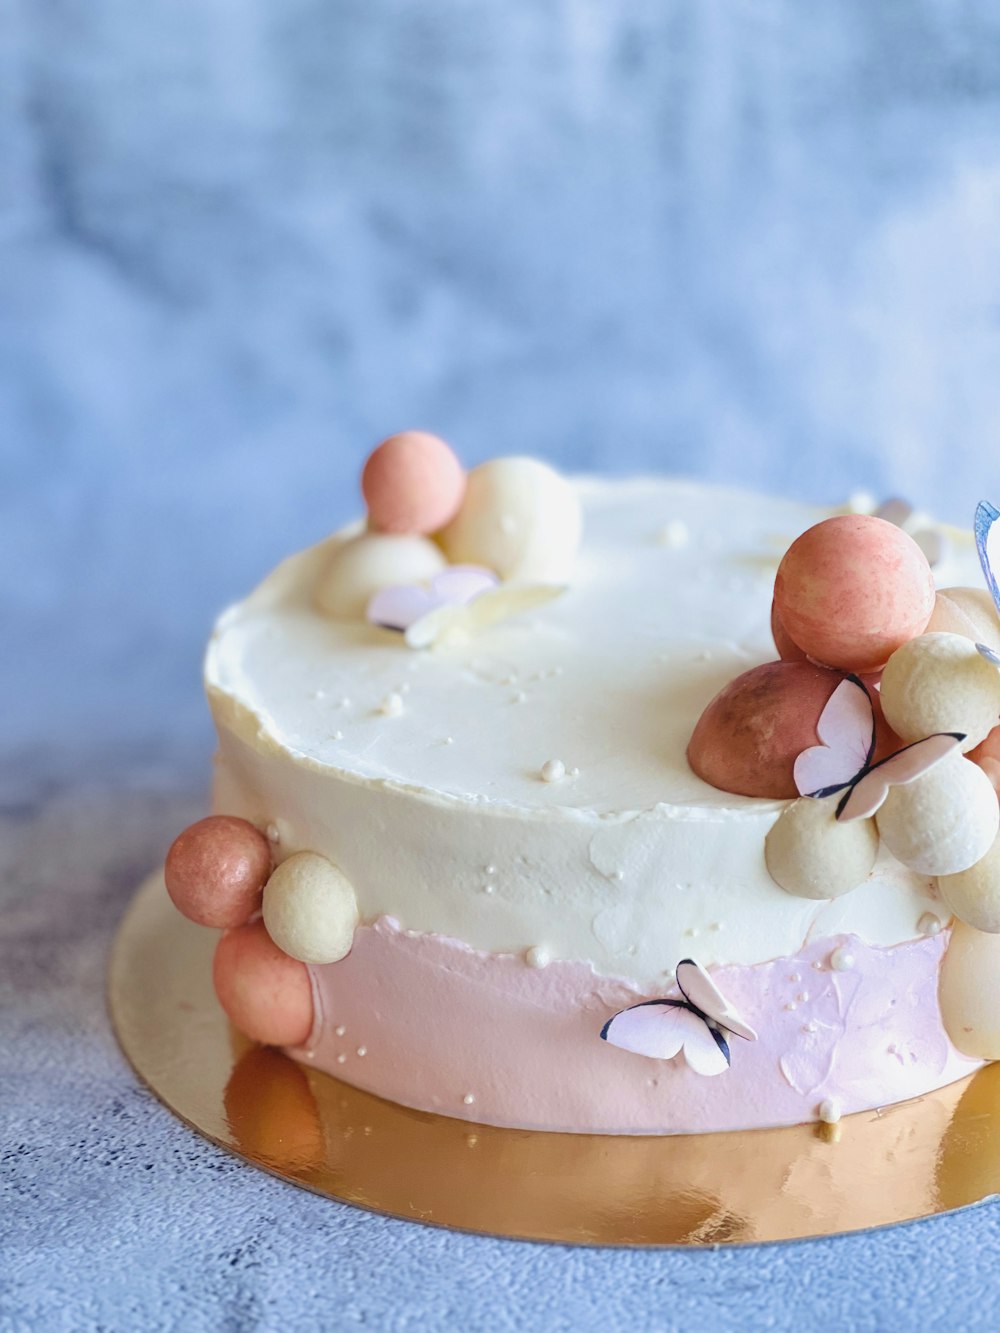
x=750 y=736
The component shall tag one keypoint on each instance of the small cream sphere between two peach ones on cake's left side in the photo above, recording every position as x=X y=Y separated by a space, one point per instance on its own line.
x=310 y=910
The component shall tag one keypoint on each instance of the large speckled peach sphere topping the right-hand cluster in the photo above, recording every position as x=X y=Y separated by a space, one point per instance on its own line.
x=853 y=590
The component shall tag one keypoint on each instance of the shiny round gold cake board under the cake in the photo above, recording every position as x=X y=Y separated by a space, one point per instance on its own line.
x=919 y=1159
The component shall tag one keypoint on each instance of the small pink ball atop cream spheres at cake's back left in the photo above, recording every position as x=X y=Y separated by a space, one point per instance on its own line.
x=413 y=485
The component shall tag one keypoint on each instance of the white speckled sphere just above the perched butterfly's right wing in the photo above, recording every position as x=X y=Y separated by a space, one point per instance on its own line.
x=941 y=683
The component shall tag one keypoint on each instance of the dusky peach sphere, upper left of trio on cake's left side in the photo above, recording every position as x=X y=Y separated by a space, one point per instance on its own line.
x=217 y=871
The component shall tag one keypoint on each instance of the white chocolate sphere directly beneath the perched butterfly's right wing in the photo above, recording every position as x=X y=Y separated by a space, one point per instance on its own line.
x=945 y=822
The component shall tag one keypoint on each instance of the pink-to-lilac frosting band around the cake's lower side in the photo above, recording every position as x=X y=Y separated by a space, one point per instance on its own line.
x=434 y=1024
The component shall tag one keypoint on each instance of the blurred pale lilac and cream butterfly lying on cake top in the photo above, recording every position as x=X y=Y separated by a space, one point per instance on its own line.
x=454 y=606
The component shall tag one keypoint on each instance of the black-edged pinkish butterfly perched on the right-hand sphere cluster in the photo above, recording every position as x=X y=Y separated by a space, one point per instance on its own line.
x=843 y=759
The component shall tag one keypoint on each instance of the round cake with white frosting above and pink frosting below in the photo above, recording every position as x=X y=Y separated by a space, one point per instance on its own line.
x=531 y=852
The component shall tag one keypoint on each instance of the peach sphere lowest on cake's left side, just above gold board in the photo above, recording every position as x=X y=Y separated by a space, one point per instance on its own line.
x=266 y=994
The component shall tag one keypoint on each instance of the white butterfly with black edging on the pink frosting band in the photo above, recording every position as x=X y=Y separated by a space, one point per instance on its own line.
x=698 y=1024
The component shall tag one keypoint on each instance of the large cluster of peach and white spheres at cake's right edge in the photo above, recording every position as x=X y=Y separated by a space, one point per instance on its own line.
x=855 y=595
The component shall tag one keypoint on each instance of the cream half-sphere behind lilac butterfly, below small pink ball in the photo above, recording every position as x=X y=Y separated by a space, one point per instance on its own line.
x=362 y=566
